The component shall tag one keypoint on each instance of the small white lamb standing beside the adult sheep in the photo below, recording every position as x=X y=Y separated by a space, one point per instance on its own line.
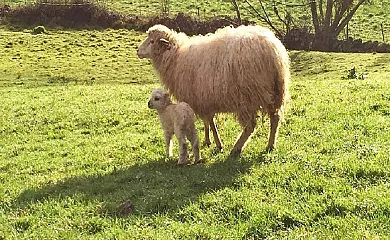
x=178 y=119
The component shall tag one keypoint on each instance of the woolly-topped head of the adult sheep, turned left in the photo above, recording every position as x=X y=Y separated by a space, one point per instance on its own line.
x=160 y=40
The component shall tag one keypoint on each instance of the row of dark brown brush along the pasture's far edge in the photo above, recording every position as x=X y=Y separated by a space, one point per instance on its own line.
x=87 y=13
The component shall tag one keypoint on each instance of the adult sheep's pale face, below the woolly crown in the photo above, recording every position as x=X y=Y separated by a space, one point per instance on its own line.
x=154 y=45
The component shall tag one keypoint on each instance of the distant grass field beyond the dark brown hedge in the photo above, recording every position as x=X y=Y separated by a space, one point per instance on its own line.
x=366 y=23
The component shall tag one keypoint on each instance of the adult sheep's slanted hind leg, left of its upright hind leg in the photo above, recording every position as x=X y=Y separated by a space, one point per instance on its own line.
x=249 y=124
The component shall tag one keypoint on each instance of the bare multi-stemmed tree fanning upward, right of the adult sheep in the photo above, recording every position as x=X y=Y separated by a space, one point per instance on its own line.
x=330 y=20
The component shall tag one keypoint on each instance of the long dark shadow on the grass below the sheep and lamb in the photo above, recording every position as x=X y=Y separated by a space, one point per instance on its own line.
x=155 y=187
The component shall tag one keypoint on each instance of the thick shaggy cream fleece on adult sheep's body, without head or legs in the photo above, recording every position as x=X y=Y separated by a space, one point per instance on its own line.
x=232 y=71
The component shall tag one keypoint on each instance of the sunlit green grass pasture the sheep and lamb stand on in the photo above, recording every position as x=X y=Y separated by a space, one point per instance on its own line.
x=77 y=141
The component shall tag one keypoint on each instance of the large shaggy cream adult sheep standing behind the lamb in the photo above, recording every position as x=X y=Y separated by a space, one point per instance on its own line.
x=239 y=70
